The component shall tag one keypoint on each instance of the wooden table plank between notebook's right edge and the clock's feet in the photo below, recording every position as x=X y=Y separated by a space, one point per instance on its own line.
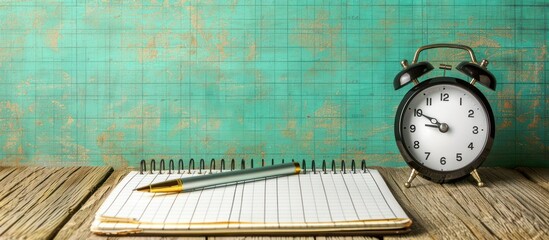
x=436 y=214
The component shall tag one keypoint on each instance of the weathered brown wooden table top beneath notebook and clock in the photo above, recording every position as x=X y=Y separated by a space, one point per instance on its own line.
x=60 y=203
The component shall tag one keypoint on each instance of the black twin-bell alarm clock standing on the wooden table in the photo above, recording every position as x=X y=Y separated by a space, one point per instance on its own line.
x=444 y=126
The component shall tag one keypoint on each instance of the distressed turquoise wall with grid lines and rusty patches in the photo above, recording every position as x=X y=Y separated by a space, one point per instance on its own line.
x=113 y=82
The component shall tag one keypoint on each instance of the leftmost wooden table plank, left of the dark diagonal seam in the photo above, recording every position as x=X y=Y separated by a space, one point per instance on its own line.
x=36 y=201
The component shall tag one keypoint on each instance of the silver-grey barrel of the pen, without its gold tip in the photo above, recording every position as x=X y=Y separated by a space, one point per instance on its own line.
x=207 y=180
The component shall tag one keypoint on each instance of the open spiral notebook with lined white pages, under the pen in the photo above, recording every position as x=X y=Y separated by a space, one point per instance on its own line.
x=314 y=202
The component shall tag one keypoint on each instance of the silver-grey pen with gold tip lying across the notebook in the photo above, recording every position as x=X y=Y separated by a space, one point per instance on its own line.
x=191 y=183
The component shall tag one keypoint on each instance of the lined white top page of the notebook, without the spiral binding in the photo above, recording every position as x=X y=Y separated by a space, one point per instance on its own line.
x=330 y=199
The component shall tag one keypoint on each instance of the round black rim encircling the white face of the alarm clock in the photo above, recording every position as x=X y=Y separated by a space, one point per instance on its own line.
x=431 y=174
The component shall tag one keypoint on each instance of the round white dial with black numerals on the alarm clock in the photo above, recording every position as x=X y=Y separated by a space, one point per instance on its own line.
x=445 y=127
